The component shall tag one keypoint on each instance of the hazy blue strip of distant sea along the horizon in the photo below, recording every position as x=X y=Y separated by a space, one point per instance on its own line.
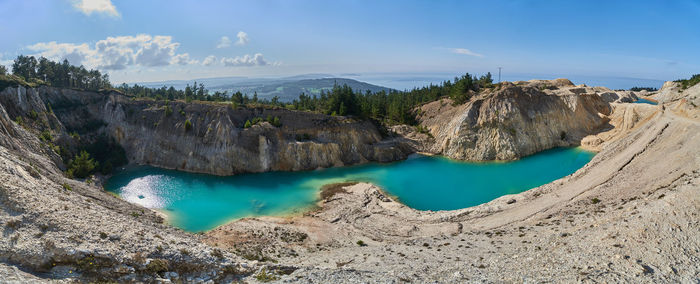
x=407 y=81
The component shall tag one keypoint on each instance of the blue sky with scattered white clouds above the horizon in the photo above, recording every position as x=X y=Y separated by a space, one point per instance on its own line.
x=155 y=40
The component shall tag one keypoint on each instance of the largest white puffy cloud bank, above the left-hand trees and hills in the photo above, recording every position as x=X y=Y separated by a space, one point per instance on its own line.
x=115 y=53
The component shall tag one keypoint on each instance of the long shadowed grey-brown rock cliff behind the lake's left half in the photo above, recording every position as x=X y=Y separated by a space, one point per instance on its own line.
x=216 y=141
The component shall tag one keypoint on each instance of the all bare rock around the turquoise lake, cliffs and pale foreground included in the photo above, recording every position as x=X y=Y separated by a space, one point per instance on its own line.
x=630 y=215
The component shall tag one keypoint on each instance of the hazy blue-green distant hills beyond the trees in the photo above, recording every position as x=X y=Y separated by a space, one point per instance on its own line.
x=286 y=88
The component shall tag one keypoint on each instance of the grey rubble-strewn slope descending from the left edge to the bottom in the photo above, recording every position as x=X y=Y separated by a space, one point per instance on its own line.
x=67 y=229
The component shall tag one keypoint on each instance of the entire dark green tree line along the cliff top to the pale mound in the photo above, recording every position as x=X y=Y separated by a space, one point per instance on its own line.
x=389 y=106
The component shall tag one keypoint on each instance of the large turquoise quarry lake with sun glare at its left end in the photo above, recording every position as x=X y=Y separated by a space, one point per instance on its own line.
x=197 y=202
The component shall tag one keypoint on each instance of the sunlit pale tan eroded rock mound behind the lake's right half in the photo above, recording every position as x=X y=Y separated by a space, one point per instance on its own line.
x=515 y=120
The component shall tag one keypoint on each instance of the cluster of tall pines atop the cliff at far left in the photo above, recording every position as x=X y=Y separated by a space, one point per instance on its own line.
x=58 y=74
